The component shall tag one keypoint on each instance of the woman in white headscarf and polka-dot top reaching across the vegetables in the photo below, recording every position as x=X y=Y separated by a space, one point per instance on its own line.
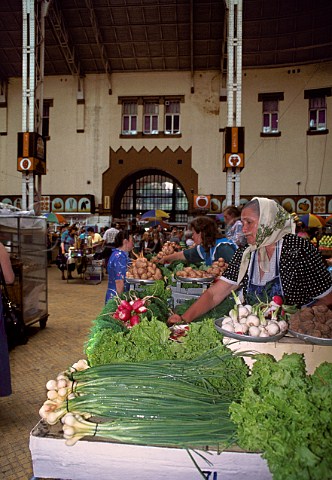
x=275 y=262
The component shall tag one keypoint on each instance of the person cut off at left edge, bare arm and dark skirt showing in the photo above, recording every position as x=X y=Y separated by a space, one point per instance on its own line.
x=9 y=276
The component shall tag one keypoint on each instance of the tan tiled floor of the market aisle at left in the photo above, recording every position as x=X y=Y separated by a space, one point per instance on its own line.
x=72 y=307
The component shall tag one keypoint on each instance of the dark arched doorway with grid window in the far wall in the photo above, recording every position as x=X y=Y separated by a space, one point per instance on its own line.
x=151 y=189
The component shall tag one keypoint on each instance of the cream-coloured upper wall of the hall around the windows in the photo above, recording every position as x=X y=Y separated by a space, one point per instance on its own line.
x=273 y=165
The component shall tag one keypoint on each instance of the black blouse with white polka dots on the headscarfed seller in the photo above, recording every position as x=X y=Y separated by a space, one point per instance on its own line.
x=302 y=271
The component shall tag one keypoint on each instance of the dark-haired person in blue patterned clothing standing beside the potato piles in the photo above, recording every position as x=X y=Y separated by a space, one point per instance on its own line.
x=118 y=264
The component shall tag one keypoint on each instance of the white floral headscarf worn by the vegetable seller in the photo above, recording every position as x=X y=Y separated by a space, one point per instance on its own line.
x=273 y=224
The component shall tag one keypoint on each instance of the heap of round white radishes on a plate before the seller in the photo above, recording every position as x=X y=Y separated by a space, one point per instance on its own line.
x=260 y=320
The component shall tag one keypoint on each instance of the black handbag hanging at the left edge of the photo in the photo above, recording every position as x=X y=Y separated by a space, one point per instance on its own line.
x=13 y=320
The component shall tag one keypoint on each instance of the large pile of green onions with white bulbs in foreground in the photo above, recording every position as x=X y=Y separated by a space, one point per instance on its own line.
x=169 y=403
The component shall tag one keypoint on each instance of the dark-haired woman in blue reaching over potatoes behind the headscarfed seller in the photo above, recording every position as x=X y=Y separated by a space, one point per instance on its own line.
x=208 y=247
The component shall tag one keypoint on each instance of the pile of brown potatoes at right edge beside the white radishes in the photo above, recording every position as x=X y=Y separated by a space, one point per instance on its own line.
x=315 y=321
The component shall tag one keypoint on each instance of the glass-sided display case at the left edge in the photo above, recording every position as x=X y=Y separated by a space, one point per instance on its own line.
x=25 y=238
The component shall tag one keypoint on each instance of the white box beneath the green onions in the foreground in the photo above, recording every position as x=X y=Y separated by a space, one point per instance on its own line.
x=93 y=459
